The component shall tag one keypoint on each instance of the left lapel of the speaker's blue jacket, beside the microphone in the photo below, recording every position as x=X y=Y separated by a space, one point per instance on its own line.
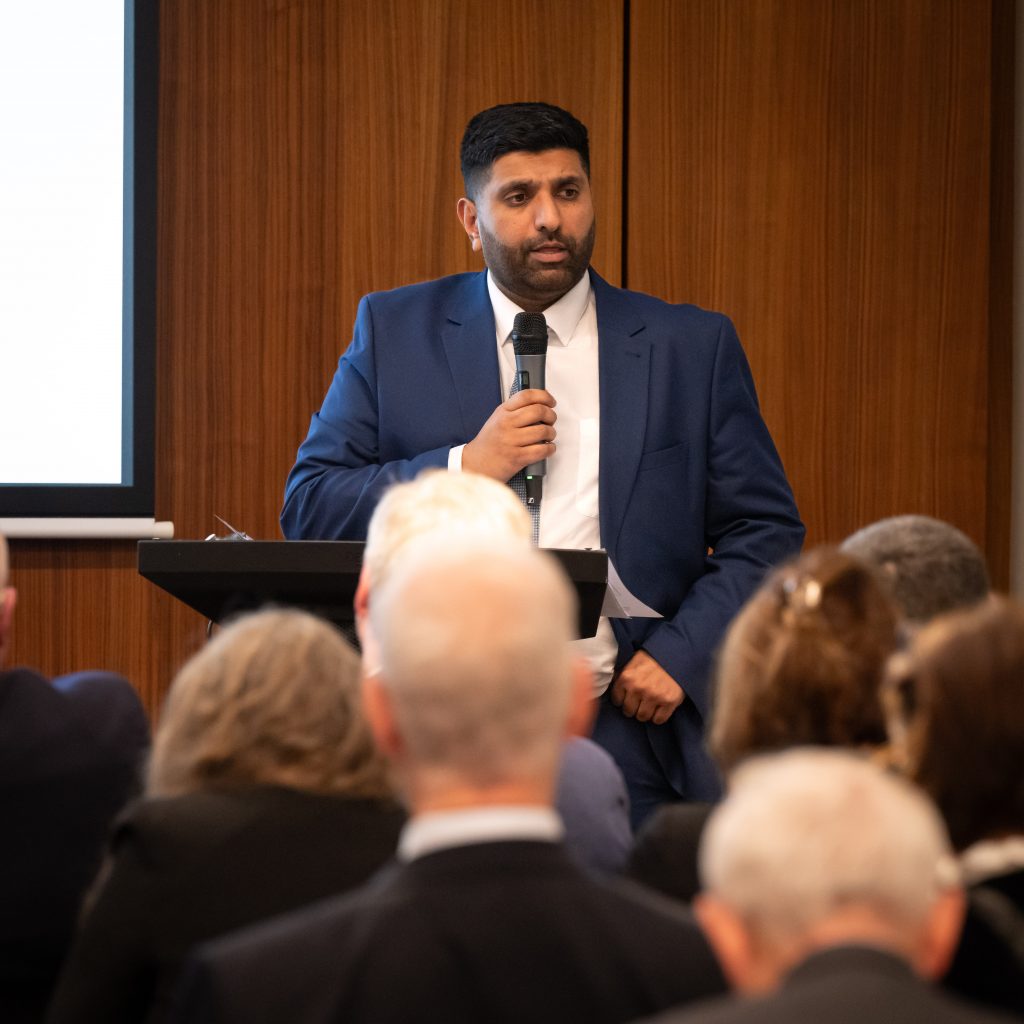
x=468 y=335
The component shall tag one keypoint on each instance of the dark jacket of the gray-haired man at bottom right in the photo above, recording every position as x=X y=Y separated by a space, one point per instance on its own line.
x=843 y=986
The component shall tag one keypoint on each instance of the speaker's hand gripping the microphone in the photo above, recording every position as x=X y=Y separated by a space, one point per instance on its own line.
x=519 y=433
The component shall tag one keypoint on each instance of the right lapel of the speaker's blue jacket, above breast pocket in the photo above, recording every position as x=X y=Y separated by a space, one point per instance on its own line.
x=624 y=361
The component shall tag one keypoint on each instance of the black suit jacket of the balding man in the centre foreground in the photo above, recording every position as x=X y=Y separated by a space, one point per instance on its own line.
x=495 y=932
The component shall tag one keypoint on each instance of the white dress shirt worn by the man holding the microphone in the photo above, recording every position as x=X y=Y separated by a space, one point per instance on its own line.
x=570 y=515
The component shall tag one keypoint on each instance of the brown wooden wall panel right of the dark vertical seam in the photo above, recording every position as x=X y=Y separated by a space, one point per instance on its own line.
x=822 y=169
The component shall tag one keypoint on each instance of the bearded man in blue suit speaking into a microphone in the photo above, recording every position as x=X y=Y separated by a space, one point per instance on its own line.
x=657 y=451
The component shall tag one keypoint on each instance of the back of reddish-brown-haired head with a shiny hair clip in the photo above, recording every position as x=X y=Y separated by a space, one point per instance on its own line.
x=803 y=662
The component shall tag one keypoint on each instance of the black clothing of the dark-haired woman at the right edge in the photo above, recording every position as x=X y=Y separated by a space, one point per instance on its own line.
x=986 y=967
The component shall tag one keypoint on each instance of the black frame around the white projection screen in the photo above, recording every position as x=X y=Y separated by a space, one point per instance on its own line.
x=136 y=498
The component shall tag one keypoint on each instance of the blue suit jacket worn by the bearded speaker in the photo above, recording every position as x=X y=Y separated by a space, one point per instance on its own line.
x=687 y=462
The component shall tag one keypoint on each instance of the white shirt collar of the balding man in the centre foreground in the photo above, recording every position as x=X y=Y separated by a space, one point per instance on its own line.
x=442 y=830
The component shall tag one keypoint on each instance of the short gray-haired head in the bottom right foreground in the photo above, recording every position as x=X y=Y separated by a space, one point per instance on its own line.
x=813 y=833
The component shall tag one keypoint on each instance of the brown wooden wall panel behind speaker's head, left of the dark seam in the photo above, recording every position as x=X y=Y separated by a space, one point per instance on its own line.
x=309 y=155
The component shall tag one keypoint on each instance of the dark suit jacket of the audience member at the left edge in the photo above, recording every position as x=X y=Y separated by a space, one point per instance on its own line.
x=71 y=753
